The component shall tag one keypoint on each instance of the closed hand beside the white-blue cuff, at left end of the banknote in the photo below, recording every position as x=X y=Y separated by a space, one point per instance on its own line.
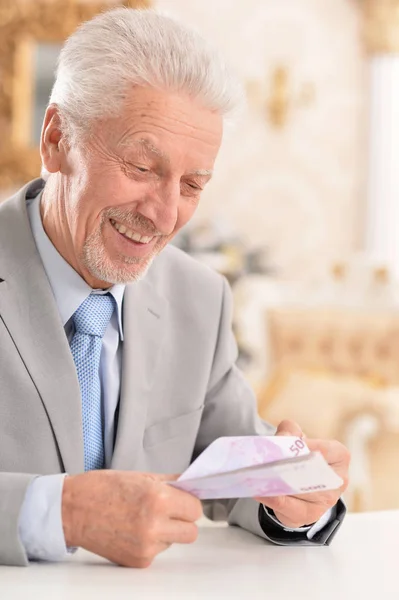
x=127 y=517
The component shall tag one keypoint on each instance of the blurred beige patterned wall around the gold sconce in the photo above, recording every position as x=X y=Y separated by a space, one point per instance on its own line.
x=299 y=190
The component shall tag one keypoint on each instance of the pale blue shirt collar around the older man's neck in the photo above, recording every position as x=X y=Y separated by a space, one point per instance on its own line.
x=69 y=289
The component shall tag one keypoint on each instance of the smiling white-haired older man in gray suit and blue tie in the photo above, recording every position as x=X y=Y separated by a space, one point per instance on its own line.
x=116 y=370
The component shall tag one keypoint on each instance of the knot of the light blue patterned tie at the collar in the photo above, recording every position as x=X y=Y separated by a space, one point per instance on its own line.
x=94 y=314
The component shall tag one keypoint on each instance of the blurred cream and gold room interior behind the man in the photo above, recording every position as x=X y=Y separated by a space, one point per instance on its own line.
x=302 y=215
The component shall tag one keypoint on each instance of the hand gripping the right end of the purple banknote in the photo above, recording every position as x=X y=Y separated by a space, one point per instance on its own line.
x=306 y=509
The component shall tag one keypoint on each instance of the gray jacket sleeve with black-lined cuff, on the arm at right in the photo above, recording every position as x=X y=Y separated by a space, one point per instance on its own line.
x=230 y=410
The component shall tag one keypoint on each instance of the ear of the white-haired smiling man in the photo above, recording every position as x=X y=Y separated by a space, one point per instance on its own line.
x=50 y=149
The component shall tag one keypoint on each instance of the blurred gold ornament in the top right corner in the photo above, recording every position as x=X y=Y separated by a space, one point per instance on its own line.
x=382 y=26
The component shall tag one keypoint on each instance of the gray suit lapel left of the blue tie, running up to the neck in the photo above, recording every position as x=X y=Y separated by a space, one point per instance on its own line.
x=29 y=311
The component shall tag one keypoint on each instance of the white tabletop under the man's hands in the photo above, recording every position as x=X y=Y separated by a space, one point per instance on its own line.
x=225 y=562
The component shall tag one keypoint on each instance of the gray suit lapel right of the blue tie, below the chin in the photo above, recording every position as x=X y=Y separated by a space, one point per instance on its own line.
x=143 y=318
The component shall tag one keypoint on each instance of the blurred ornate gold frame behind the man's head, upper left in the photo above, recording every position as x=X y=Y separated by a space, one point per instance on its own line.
x=25 y=24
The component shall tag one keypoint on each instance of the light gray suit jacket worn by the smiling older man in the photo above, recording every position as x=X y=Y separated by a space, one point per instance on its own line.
x=180 y=387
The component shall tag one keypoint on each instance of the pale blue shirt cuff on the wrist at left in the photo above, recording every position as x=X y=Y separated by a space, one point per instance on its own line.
x=40 y=520
